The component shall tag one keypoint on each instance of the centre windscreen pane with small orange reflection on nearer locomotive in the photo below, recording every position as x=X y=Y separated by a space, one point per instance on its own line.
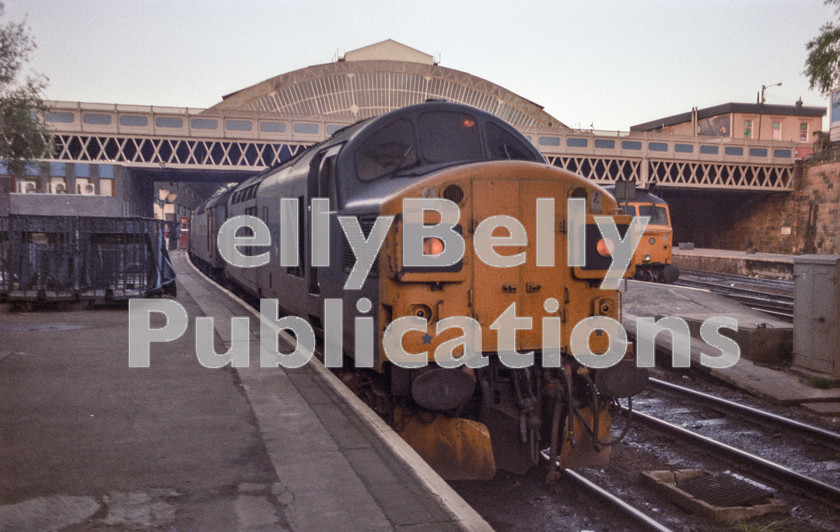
x=449 y=137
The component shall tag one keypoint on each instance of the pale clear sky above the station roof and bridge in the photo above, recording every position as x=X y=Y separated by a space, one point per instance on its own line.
x=590 y=63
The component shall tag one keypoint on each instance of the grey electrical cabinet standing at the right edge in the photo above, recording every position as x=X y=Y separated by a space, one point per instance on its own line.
x=816 y=314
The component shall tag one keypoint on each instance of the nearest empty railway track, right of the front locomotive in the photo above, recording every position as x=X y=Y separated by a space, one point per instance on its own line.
x=778 y=449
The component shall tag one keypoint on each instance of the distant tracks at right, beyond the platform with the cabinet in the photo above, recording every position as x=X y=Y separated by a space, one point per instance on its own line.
x=767 y=295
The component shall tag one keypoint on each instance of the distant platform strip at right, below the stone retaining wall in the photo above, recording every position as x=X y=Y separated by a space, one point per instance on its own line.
x=769 y=265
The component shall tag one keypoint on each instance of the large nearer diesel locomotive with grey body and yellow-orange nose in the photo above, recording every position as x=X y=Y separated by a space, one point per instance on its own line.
x=506 y=211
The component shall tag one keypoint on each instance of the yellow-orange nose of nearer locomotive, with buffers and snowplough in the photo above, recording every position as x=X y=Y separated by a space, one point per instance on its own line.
x=514 y=289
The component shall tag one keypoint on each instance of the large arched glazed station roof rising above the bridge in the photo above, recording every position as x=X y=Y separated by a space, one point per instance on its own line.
x=377 y=79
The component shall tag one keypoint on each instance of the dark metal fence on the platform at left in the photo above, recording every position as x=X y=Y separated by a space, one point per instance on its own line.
x=61 y=258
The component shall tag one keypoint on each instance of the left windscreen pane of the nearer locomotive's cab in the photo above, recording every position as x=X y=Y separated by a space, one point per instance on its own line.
x=387 y=151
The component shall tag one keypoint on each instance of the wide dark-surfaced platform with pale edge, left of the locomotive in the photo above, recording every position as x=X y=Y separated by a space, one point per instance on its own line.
x=88 y=443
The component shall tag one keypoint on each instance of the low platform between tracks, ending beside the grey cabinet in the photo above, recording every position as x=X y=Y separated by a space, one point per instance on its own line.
x=765 y=343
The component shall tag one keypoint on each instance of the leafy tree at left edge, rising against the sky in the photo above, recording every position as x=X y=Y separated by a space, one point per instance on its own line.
x=23 y=134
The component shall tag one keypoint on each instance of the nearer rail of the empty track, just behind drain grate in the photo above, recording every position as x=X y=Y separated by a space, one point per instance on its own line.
x=815 y=488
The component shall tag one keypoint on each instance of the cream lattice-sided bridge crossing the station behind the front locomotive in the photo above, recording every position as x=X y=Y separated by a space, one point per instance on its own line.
x=177 y=138
